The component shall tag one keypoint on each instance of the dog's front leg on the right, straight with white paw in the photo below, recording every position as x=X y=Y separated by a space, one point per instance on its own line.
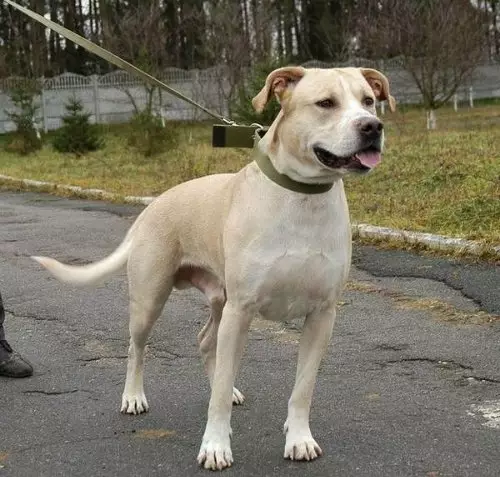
x=316 y=335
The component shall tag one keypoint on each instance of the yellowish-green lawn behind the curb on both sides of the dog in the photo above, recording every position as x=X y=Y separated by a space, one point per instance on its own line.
x=445 y=181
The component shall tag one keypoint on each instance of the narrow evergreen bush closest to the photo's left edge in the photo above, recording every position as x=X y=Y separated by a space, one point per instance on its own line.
x=26 y=139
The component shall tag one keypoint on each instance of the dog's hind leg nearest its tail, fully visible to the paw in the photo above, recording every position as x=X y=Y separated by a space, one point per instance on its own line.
x=149 y=288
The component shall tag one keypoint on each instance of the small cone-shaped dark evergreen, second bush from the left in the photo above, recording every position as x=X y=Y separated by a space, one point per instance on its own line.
x=77 y=135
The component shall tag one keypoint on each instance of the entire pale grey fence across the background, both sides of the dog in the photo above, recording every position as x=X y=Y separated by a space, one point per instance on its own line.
x=110 y=98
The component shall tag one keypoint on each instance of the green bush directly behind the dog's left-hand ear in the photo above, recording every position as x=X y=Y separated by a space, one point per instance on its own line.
x=242 y=106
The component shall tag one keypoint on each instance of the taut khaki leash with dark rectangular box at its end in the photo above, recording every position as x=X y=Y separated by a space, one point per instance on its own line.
x=228 y=134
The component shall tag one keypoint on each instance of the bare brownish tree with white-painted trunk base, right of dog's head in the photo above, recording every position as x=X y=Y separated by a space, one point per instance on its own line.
x=439 y=42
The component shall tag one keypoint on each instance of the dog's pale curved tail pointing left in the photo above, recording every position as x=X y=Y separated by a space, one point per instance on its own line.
x=93 y=273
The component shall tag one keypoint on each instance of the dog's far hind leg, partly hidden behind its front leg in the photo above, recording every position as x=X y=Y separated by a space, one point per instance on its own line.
x=207 y=338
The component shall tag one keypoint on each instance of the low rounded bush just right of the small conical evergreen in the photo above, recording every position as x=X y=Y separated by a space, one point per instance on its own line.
x=148 y=135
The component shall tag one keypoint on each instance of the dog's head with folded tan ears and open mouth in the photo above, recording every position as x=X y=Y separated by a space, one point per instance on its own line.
x=327 y=125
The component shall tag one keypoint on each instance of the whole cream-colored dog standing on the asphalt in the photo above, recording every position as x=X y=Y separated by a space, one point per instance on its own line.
x=255 y=247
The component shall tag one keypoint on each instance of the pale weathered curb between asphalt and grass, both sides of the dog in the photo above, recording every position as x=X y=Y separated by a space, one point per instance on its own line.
x=436 y=242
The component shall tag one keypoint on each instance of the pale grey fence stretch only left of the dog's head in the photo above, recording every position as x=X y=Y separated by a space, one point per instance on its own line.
x=114 y=97
